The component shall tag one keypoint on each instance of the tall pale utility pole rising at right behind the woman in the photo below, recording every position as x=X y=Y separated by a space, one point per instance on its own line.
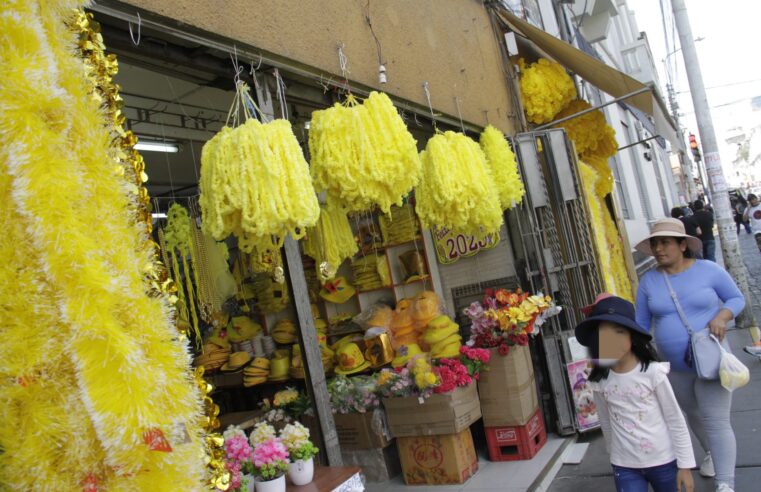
x=712 y=158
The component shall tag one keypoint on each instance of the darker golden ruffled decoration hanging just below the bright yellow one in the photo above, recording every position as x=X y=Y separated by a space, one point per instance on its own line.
x=590 y=132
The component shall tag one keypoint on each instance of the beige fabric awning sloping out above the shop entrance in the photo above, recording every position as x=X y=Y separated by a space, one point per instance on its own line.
x=602 y=76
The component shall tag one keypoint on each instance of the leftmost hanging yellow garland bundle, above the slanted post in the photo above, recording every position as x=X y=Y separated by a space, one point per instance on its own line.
x=255 y=183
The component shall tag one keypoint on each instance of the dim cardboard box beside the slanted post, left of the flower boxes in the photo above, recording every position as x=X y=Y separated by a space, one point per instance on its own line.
x=363 y=430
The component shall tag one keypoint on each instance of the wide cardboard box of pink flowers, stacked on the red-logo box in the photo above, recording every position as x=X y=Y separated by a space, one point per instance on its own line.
x=447 y=413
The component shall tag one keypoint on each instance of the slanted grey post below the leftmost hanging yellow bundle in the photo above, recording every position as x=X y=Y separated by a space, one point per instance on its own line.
x=310 y=352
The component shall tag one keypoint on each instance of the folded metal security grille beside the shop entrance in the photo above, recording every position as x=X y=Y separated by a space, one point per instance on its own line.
x=560 y=255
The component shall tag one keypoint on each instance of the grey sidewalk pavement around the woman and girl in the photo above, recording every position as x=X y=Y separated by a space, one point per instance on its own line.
x=594 y=472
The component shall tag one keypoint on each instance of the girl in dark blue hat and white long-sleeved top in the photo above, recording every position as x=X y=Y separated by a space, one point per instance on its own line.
x=645 y=432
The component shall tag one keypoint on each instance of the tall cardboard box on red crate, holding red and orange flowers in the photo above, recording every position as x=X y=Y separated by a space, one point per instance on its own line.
x=508 y=390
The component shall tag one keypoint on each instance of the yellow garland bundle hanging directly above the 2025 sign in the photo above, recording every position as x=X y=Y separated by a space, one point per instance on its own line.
x=457 y=188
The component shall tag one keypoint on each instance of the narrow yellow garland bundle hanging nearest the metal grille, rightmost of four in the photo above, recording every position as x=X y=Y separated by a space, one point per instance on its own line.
x=504 y=167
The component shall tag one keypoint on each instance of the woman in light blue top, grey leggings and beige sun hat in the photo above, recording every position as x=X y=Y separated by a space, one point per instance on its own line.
x=704 y=299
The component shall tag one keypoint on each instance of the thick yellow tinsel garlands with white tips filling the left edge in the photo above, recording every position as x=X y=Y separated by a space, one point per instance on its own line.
x=95 y=387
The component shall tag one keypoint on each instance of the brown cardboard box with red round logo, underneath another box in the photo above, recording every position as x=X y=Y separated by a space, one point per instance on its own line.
x=438 y=460
